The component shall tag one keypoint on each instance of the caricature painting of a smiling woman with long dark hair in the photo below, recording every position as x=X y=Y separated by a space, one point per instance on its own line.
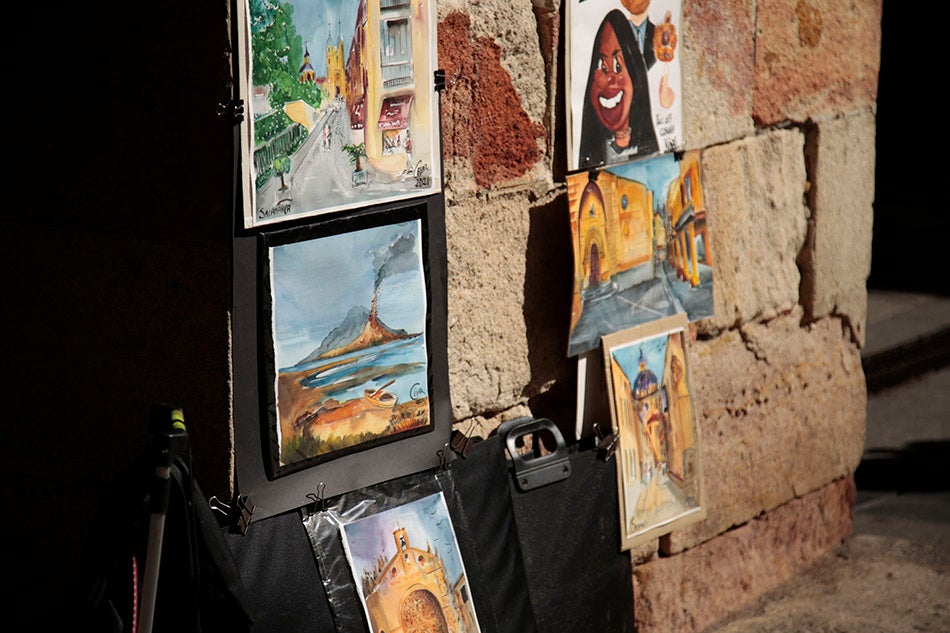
x=623 y=80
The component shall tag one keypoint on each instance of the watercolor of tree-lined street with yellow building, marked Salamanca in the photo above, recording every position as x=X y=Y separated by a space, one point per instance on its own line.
x=340 y=106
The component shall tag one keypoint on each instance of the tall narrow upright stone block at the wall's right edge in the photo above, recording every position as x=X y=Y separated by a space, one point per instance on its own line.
x=837 y=259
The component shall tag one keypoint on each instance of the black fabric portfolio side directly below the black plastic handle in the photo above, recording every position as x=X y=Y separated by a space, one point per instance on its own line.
x=579 y=581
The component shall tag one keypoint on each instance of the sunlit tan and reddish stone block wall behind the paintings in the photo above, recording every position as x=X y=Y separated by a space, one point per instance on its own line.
x=780 y=96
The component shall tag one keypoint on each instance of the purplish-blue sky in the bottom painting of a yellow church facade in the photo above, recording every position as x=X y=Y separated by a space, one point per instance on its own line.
x=426 y=522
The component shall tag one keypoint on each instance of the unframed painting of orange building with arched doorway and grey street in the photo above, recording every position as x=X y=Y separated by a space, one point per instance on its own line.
x=641 y=246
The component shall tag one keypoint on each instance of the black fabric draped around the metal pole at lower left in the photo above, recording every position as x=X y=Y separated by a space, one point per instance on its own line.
x=197 y=587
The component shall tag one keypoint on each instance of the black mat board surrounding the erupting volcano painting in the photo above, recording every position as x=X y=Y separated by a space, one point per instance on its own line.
x=274 y=490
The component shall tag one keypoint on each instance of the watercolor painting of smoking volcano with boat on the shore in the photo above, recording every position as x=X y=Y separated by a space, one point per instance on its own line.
x=349 y=317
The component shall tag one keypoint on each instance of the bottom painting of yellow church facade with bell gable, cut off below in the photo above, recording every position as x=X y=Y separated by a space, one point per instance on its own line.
x=408 y=570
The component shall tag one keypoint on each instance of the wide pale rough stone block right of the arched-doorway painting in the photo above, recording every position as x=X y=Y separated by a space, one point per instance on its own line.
x=758 y=220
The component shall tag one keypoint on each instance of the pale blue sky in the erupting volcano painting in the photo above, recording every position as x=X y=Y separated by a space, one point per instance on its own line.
x=316 y=282
